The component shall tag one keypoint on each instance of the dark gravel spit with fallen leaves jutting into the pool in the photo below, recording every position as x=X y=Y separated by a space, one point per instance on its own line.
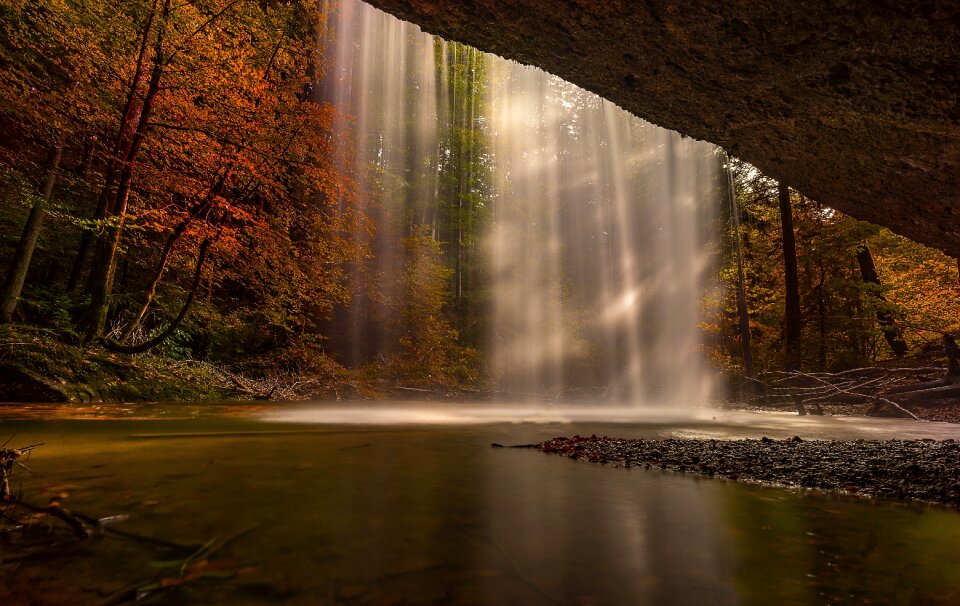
x=923 y=470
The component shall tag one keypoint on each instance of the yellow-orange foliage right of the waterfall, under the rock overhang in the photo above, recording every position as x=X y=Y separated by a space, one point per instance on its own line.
x=840 y=328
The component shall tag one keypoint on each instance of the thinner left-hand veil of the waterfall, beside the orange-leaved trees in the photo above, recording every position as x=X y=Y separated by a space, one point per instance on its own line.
x=381 y=73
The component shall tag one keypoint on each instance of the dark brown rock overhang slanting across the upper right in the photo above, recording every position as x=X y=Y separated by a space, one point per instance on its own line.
x=852 y=102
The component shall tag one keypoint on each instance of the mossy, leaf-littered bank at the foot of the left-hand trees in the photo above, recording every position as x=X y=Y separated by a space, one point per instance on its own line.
x=37 y=365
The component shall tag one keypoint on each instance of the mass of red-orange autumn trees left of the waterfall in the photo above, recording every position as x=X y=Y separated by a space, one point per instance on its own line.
x=203 y=161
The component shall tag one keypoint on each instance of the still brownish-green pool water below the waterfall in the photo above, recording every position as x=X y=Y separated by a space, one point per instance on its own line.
x=358 y=513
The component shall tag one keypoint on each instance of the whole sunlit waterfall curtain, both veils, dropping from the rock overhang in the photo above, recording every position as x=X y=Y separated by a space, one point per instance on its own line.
x=596 y=252
